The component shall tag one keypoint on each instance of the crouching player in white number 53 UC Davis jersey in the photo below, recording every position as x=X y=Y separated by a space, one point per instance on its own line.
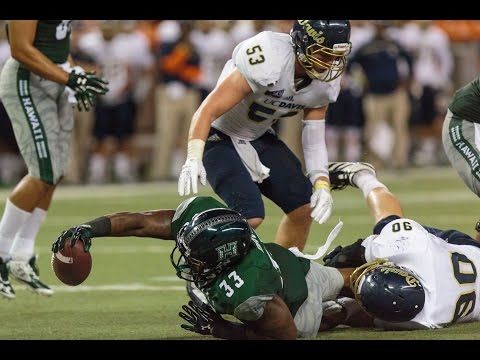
x=231 y=142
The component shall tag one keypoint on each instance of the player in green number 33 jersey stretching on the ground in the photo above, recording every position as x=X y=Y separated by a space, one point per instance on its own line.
x=276 y=293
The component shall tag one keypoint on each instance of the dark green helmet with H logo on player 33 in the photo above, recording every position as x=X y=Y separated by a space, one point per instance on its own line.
x=211 y=242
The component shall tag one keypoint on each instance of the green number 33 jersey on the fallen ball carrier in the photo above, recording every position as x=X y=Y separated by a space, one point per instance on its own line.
x=268 y=269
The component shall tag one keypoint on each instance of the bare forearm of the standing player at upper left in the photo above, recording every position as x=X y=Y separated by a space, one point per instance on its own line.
x=39 y=64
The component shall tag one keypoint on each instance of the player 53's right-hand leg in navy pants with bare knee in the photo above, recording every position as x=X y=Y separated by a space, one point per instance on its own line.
x=287 y=187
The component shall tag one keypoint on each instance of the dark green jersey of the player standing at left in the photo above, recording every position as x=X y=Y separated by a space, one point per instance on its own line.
x=52 y=39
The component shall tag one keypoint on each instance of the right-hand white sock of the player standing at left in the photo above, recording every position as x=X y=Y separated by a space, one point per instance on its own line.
x=23 y=246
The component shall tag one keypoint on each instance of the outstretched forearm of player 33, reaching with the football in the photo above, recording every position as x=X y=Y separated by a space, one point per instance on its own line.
x=155 y=224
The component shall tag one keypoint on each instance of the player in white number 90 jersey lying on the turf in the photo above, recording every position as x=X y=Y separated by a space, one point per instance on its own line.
x=432 y=282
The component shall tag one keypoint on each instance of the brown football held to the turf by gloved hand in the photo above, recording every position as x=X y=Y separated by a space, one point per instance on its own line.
x=71 y=264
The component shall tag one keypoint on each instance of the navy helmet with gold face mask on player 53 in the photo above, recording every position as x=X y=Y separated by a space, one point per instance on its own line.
x=322 y=47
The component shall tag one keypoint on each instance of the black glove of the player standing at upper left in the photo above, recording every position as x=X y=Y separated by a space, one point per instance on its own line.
x=87 y=87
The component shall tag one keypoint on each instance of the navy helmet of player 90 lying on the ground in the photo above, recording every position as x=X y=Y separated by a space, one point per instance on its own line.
x=387 y=291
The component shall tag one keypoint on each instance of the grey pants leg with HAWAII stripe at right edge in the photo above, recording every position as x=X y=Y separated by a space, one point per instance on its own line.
x=459 y=139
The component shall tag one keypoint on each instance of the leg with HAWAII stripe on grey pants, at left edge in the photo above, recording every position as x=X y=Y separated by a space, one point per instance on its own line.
x=31 y=137
